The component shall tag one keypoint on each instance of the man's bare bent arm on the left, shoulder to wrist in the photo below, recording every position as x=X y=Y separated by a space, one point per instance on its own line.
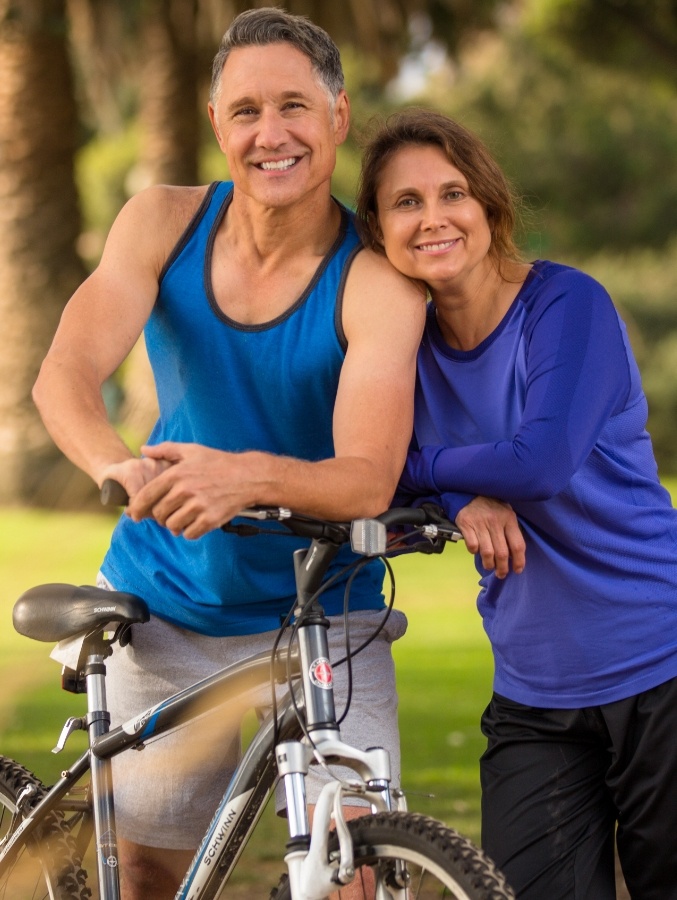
x=98 y=328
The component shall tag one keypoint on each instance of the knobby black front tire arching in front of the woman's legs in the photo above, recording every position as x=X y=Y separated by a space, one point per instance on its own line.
x=470 y=873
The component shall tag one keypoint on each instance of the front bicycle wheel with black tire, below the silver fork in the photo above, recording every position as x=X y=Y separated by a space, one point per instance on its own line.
x=440 y=861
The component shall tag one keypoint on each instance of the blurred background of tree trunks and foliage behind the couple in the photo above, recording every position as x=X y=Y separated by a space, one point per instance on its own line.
x=98 y=99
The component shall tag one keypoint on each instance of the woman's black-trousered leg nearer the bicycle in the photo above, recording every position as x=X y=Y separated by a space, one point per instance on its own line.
x=547 y=820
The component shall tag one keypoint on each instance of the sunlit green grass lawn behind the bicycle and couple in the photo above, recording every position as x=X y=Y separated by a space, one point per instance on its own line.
x=444 y=669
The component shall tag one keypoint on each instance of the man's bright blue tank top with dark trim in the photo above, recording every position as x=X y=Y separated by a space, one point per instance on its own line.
x=238 y=387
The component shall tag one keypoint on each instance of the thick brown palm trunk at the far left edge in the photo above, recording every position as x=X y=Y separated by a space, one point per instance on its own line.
x=39 y=225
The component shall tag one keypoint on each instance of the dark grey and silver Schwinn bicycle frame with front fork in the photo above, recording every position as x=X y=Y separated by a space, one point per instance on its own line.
x=257 y=773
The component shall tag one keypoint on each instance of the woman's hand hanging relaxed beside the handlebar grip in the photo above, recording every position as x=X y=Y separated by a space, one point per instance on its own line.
x=490 y=528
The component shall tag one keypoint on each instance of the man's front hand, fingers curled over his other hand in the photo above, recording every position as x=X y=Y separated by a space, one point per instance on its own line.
x=199 y=488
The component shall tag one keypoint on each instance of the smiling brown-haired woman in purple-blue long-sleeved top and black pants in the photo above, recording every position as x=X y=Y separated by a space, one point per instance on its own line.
x=528 y=392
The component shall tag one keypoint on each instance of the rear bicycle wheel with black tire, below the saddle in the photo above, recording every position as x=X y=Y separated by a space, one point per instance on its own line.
x=47 y=864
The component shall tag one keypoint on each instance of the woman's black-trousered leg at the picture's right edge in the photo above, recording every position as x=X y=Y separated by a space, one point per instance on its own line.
x=643 y=782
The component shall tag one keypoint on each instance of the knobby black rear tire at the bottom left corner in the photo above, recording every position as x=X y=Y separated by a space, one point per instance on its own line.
x=56 y=851
